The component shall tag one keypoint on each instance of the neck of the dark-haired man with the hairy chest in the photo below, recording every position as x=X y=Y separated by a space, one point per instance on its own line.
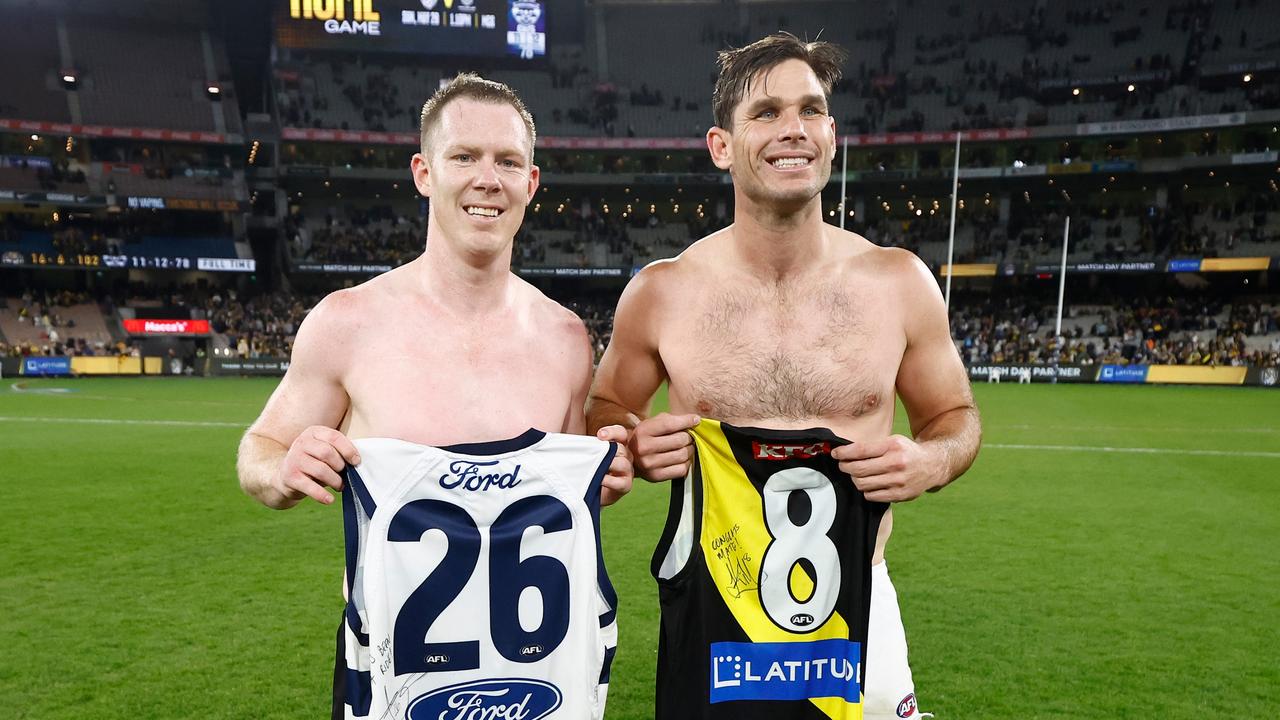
x=779 y=245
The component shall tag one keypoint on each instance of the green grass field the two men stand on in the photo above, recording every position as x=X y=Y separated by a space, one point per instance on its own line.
x=1130 y=571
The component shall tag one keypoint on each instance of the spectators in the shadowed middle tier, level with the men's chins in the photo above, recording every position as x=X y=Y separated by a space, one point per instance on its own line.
x=1031 y=233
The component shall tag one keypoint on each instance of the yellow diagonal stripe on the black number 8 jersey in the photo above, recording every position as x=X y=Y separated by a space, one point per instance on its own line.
x=734 y=540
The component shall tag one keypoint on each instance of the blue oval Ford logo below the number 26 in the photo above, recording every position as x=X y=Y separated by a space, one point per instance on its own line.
x=511 y=699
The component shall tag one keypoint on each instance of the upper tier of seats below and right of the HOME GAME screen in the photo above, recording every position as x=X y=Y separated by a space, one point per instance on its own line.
x=950 y=67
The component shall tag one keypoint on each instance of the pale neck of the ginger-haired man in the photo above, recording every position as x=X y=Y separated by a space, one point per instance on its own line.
x=468 y=285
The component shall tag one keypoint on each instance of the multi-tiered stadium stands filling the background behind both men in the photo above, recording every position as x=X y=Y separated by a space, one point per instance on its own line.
x=646 y=71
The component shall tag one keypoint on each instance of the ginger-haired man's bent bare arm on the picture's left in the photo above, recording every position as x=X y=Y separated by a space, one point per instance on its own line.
x=310 y=395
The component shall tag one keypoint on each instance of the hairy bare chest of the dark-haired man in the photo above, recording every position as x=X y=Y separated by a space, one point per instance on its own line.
x=799 y=356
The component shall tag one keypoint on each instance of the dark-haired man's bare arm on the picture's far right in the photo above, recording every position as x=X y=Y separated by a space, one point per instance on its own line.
x=932 y=381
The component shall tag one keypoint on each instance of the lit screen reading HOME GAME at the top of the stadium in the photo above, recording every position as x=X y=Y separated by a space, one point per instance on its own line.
x=513 y=30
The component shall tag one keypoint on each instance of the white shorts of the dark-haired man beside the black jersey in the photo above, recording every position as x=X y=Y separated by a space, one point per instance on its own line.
x=890 y=692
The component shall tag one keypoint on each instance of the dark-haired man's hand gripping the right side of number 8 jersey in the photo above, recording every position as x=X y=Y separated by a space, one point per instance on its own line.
x=893 y=470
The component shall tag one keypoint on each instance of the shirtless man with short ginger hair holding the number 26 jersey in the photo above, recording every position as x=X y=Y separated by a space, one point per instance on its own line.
x=447 y=349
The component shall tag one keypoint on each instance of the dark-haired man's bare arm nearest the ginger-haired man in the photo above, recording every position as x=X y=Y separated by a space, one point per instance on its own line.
x=632 y=368
